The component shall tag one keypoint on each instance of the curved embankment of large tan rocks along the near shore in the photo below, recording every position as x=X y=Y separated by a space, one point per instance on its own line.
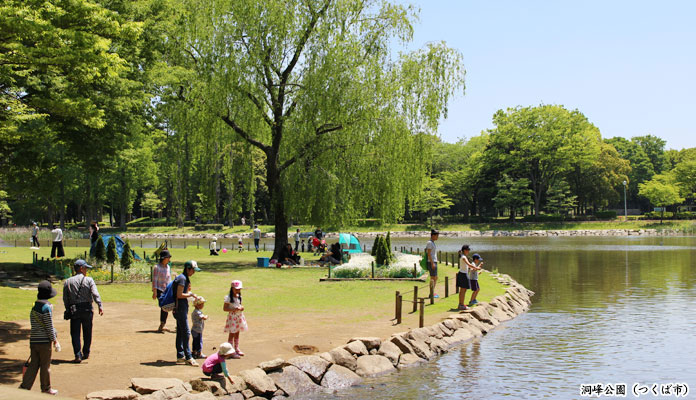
x=343 y=366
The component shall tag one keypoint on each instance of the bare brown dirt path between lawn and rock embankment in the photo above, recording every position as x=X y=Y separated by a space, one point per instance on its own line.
x=125 y=344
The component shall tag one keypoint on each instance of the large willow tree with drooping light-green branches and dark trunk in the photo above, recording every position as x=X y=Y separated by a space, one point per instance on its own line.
x=316 y=86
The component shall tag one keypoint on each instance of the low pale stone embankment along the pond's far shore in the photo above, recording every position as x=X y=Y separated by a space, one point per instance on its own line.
x=425 y=234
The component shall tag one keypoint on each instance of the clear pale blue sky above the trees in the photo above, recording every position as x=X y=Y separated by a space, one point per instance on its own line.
x=627 y=65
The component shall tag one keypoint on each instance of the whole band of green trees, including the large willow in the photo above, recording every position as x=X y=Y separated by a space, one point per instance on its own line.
x=279 y=111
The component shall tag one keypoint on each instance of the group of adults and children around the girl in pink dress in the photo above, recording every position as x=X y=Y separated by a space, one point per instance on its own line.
x=181 y=287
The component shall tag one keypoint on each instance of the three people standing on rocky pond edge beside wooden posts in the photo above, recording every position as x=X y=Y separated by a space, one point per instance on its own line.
x=467 y=276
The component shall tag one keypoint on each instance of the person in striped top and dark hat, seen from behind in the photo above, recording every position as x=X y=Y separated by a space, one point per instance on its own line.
x=42 y=336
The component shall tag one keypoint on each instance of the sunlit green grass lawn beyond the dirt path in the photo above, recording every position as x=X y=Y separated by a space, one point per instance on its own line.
x=267 y=290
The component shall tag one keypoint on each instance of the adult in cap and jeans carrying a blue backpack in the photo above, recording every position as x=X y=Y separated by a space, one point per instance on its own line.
x=182 y=289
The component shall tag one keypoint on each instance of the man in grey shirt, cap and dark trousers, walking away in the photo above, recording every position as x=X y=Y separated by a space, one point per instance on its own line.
x=78 y=294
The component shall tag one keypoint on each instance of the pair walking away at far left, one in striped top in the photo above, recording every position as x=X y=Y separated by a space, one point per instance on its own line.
x=79 y=294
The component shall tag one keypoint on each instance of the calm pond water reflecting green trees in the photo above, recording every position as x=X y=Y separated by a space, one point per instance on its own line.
x=609 y=310
